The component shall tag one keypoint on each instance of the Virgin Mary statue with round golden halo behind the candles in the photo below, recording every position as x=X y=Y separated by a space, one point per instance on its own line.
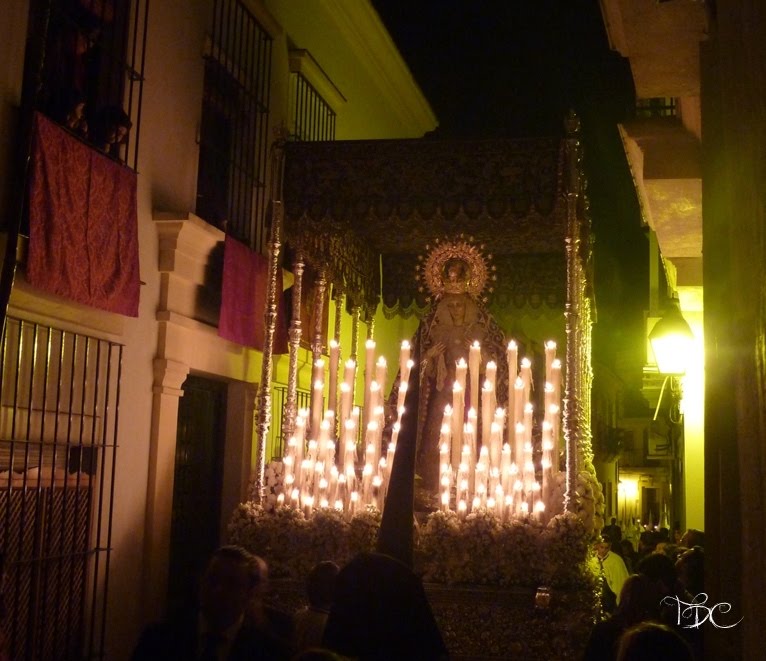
x=455 y=273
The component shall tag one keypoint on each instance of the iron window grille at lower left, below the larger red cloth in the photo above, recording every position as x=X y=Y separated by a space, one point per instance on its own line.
x=58 y=439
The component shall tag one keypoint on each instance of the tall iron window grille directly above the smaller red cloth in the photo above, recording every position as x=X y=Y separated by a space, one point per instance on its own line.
x=233 y=151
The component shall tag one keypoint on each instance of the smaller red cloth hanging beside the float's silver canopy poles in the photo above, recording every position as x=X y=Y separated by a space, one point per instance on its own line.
x=243 y=299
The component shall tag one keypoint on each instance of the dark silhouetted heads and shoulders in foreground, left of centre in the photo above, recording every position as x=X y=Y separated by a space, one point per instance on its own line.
x=373 y=608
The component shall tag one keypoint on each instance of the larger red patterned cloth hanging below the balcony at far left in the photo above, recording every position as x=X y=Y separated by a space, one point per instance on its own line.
x=83 y=231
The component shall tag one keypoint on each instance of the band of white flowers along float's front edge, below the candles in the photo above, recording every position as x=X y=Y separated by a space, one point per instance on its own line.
x=479 y=549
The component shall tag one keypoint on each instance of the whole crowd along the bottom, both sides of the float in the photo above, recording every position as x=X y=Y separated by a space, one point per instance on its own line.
x=375 y=607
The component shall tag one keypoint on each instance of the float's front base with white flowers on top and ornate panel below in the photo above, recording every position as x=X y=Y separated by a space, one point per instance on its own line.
x=498 y=589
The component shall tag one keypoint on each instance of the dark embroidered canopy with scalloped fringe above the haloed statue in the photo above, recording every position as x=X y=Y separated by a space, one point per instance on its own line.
x=352 y=205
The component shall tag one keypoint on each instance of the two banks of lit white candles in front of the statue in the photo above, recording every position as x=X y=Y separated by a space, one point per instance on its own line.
x=495 y=472
